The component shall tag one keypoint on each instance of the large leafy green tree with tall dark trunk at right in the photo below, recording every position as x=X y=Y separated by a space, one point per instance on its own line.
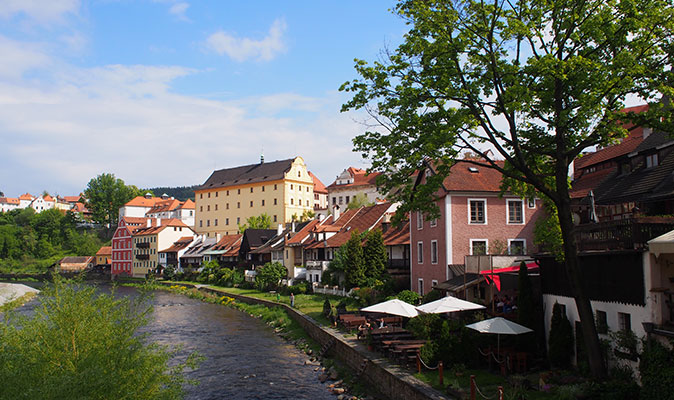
x=530 y=82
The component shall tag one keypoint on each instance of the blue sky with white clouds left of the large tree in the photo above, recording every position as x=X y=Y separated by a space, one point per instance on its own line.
x=163 y=92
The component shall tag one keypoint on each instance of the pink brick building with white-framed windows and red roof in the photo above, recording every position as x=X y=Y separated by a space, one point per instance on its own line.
x=473 y=220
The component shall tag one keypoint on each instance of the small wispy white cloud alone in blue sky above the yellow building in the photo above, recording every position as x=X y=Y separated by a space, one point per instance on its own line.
x=242 y=49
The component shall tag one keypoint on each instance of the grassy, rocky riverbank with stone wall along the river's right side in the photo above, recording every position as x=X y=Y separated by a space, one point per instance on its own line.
x=390 y=380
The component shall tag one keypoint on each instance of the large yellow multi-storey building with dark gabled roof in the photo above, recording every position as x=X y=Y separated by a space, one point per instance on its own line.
x=280 y=189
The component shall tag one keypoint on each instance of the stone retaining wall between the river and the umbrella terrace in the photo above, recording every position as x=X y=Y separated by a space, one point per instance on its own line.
x=388 y=380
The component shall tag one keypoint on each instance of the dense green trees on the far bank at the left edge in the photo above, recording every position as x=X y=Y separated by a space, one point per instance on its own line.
x=32 y=242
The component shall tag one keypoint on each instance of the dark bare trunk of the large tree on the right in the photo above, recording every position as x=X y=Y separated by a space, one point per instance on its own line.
x=583 y=305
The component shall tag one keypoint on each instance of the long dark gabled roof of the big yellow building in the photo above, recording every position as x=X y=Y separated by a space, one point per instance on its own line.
x=263 y=172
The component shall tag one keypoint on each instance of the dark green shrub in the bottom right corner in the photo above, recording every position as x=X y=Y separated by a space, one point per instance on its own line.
x=656 y=367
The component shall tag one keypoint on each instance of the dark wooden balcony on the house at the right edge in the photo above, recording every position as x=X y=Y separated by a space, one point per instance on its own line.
x=625 y=234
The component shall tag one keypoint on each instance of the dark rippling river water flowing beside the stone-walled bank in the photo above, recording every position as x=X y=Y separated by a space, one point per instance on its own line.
x=244 y=359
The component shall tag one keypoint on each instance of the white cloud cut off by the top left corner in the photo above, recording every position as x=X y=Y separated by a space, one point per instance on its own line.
x=42 y=11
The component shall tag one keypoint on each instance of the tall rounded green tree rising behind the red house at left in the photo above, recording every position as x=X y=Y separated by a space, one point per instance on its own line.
x=105 y=194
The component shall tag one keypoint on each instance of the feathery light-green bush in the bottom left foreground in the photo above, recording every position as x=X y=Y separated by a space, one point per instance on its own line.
x=82 y=344
